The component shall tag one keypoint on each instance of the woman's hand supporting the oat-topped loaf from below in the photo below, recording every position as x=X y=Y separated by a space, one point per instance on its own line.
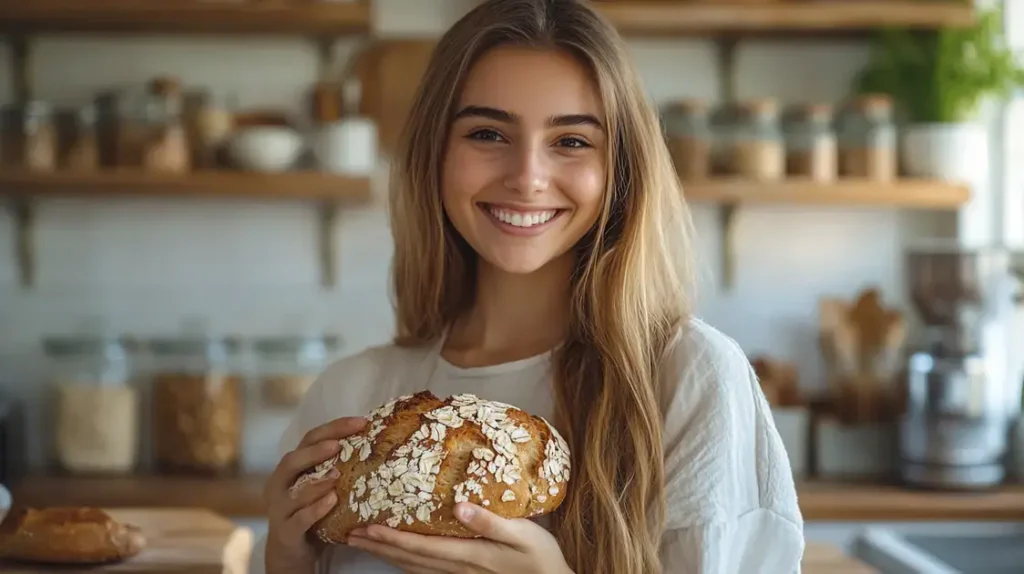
x=506 y=547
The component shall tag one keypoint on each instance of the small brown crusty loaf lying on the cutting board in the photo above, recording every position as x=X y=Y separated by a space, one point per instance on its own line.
x=68 y=536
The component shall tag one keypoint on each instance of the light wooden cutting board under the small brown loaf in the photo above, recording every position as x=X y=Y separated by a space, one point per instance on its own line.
x=179 y=542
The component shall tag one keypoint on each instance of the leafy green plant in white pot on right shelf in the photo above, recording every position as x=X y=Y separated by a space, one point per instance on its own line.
x=938 y=81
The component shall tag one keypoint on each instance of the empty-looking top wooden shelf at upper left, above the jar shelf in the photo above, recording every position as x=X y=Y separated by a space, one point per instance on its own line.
x=271 y=17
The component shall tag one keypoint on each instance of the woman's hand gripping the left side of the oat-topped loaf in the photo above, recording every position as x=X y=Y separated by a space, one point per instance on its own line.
x=291 y=514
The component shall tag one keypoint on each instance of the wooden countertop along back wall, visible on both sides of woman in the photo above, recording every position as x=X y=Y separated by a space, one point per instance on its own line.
x=244 y=498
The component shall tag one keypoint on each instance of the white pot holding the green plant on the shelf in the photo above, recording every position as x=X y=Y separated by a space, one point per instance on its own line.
x=949 y=152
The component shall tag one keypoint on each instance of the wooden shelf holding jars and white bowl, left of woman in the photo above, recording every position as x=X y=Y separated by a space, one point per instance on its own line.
x=288 y=186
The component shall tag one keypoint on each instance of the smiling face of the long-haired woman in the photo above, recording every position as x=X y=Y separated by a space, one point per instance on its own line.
x=525 y=169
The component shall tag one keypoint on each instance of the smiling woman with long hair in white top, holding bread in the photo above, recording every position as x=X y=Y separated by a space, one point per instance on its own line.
x=543 y=260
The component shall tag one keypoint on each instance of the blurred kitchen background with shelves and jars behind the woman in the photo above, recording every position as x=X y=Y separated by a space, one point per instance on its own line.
x=202 y=185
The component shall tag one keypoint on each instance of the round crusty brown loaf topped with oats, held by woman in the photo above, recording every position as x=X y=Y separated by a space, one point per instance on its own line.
x=420 y=456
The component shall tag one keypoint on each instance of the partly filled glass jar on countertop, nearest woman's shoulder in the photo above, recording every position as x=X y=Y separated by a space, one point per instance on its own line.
x=288 y=366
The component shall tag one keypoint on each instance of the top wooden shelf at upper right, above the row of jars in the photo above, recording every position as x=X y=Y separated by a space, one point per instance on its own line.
x=659 y=18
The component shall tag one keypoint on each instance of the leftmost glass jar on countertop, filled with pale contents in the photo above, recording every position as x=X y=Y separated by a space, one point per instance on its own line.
x=96 y=410
